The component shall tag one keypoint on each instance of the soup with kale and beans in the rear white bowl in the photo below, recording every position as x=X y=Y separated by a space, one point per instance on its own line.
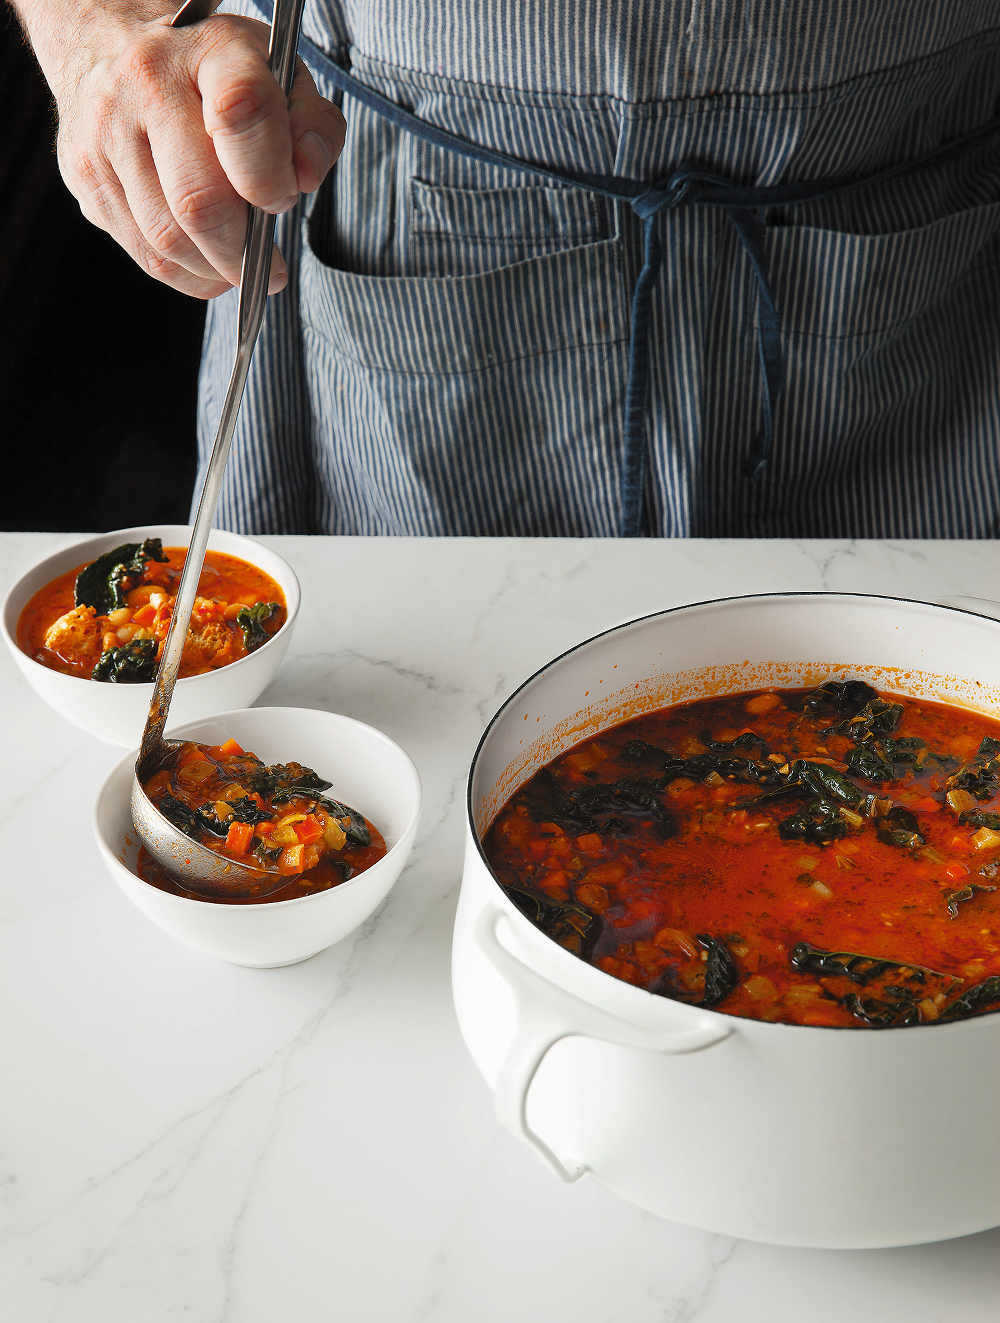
x=108 y=620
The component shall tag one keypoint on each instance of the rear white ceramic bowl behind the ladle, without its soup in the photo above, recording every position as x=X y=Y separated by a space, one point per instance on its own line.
x=117 y=712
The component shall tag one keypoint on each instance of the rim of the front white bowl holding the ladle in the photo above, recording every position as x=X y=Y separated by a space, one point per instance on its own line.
x=128 y=764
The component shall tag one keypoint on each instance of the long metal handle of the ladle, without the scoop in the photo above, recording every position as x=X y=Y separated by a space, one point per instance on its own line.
x=253 y=296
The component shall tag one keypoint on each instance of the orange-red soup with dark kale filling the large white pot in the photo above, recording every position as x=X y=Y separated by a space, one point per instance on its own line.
x=818 y=858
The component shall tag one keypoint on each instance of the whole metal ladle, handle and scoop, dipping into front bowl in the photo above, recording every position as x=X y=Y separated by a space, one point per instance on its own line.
x=195 y=866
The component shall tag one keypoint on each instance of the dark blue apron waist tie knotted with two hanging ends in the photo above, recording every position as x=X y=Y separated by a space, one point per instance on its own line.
x=685 y=187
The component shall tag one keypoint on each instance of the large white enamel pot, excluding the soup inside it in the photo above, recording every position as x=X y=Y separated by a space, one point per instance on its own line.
x=835 y=1138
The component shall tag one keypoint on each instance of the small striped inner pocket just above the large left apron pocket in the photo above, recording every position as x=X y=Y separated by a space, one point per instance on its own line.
x=469 y=232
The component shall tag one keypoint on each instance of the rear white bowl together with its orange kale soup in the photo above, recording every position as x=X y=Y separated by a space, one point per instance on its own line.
x=87 y=611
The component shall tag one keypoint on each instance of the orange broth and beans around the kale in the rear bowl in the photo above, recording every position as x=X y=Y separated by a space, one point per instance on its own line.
x=73 y=640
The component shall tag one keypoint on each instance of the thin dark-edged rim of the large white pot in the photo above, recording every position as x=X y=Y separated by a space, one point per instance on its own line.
x=628 y=993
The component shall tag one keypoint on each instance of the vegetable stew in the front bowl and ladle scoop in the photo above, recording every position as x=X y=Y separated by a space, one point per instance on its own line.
x=276 y=818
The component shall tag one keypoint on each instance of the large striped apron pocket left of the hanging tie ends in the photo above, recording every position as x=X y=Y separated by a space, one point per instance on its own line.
x=476 y=405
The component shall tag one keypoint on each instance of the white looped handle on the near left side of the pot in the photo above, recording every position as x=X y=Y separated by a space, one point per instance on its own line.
x=546 y=1015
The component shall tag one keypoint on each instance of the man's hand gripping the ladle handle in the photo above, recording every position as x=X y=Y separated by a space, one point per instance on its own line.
x=167 y=134
